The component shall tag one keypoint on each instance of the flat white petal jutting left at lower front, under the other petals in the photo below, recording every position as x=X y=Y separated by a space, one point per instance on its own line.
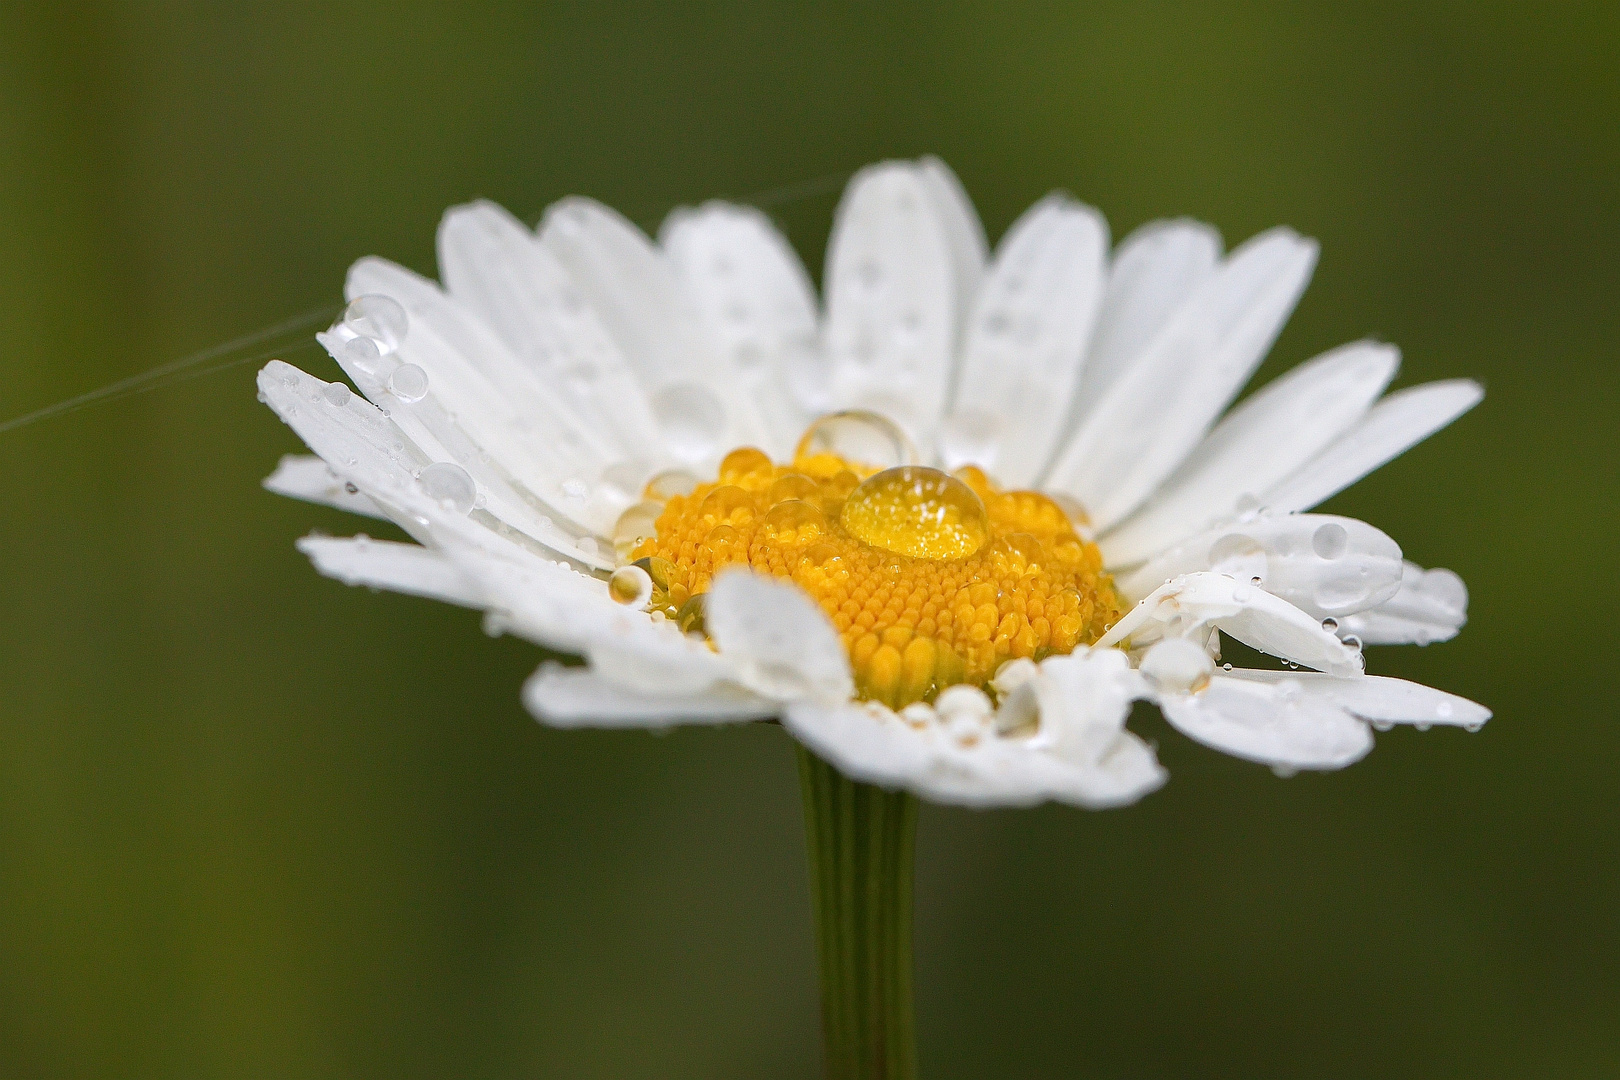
x=571 y=697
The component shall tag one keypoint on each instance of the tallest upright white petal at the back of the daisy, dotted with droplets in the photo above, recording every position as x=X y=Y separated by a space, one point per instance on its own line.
x=892 y=300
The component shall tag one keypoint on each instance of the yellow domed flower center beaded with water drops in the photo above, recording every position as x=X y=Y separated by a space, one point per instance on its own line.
x=931 y=579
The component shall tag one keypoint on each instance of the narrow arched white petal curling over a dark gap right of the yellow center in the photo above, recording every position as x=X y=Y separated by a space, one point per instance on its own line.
x=1196 y=603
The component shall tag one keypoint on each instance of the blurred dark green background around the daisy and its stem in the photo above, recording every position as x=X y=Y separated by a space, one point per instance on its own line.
x=260 y=825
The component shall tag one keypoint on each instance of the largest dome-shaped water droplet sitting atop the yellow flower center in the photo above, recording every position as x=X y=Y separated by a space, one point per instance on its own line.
x=916 y=511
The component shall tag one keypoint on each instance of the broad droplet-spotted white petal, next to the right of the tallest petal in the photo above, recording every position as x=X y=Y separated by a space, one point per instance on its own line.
x=1026 y=339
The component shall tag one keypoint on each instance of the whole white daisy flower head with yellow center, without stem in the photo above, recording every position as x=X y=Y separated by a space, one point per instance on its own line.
x=671 y=461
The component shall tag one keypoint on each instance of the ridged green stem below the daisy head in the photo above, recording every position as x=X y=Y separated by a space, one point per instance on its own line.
x=863 y=859
